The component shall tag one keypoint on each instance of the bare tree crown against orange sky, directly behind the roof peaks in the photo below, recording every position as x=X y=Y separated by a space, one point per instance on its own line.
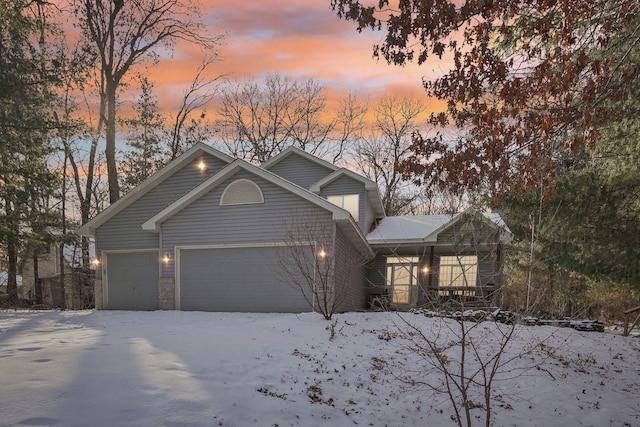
x=259 y=120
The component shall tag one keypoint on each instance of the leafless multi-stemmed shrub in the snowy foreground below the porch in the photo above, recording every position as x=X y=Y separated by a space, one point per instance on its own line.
x=462 y=360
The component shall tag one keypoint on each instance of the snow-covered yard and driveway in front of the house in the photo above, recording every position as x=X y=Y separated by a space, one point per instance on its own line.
x=205 y=369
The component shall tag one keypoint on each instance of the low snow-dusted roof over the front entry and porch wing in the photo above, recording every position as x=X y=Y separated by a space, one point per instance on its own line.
x=422 y=229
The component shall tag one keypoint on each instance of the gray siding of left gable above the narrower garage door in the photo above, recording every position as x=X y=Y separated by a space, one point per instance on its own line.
x=124 y=231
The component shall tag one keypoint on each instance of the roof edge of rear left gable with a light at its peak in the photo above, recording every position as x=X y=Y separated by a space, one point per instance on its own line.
x=154 y=180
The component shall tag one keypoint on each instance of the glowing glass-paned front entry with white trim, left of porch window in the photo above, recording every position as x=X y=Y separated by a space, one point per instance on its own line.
x=402 y=279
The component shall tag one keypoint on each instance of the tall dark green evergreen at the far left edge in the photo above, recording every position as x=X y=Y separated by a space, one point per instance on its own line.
x=26 y=106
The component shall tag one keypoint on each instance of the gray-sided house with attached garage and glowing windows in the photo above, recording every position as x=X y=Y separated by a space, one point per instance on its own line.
x=207 y=232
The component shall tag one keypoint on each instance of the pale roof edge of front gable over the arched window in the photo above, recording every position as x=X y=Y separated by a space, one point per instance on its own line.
x=339 y=214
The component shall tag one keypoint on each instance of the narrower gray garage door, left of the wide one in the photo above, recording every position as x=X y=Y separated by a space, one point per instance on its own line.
x=132 y=280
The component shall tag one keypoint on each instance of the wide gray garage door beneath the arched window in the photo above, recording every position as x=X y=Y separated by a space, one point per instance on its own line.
x=243 y=279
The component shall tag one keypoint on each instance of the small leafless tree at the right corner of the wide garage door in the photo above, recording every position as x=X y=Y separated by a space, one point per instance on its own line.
x=318 y=261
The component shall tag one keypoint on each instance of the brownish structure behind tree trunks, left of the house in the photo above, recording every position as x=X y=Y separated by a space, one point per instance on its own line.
x=78 y=281
